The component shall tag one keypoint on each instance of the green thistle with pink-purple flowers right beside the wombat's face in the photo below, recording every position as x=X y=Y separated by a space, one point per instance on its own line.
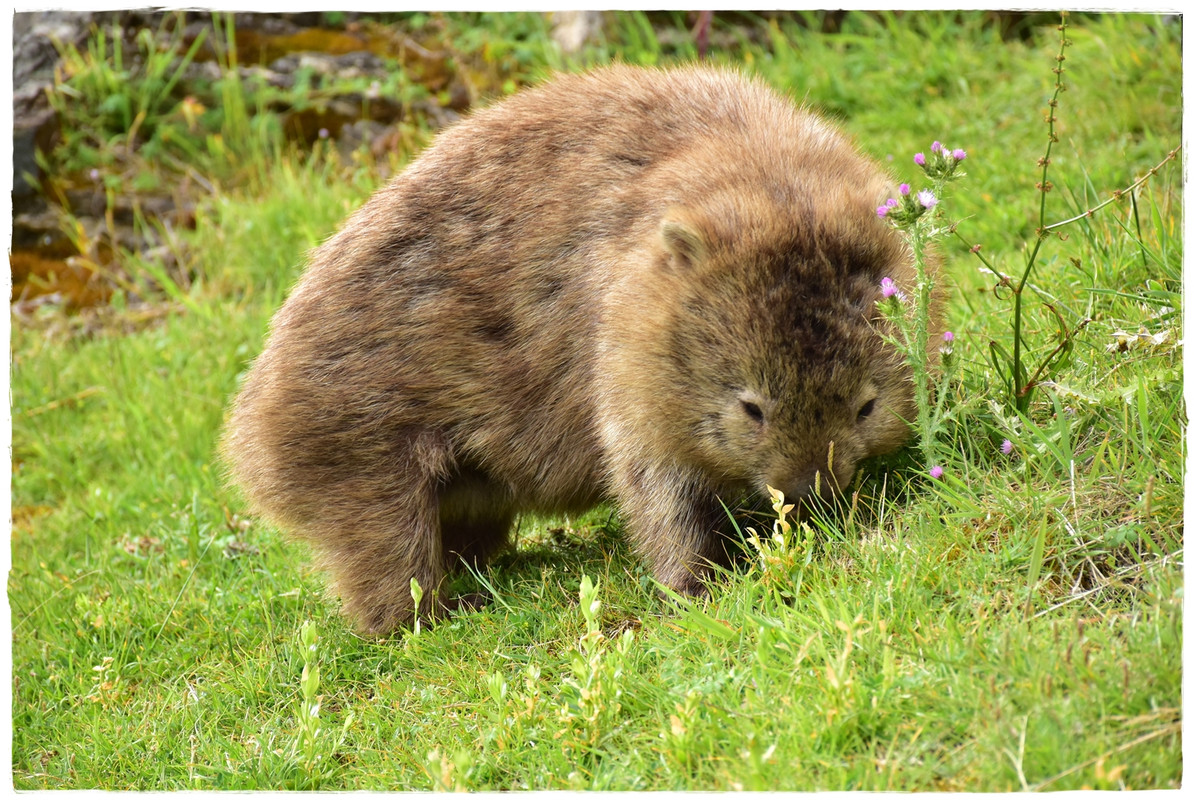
x=918 y=216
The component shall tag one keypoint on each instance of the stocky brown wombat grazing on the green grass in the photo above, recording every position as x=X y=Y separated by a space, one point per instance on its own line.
x=656 y=287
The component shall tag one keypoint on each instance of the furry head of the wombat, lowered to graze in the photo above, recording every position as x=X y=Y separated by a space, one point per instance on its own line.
x=778 y=344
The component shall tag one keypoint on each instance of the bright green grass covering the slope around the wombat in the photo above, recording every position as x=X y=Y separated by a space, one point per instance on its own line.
x=1017 y=625
